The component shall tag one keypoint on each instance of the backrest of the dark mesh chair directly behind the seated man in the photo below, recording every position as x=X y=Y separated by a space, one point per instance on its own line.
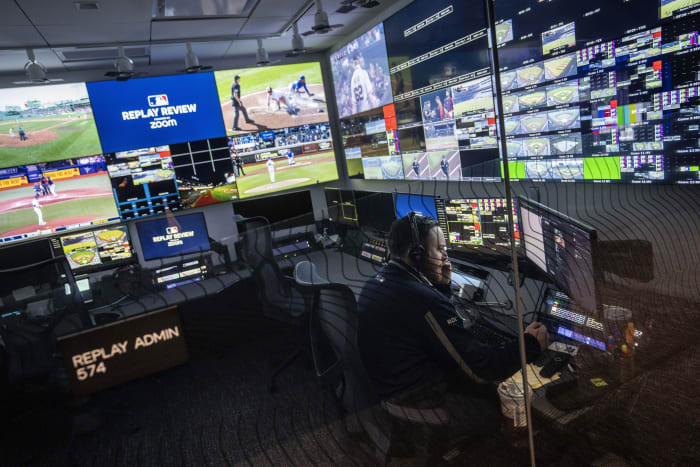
x=334 y=324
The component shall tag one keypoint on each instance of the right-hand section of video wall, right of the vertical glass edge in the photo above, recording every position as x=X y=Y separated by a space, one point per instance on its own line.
x=600 y=91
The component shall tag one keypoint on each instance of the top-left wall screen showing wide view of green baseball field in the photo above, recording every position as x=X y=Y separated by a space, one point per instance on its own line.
x=46 y=123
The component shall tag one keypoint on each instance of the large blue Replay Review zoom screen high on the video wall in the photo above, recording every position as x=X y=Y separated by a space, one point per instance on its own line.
x=156 y=111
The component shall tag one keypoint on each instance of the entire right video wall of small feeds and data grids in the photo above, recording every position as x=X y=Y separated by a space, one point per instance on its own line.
x=598 y=91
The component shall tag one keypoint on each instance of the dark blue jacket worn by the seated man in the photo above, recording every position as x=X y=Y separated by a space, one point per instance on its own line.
x=404 y=323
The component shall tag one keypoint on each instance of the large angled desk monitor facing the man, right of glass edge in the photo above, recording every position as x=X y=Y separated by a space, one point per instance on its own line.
x=563 y=248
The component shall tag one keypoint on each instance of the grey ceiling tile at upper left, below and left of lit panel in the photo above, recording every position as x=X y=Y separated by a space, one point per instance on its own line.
x=95 y=33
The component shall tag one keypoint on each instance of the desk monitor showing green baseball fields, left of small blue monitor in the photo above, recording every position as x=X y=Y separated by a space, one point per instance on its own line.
x=96 y=249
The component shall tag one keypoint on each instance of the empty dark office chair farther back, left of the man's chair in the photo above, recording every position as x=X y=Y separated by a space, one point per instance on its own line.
x=279 y=295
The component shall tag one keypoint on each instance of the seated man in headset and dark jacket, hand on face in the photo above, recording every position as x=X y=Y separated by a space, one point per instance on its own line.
x=414 y=349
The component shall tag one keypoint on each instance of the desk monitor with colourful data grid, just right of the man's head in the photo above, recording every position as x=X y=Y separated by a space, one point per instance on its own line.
x=477 y=225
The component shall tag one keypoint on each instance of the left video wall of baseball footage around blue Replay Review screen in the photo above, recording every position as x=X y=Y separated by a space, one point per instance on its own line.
x=77 y=155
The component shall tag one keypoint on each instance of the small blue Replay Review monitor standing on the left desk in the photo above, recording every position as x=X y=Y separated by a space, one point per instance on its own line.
x=173 y=235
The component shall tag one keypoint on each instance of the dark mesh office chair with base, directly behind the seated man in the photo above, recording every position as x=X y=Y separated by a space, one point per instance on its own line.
x=338 y=365
